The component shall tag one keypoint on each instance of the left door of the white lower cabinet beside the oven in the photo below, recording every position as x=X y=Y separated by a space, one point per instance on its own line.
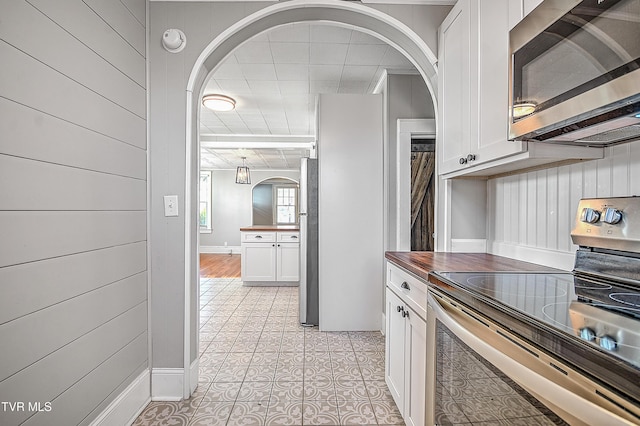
x=394 y=349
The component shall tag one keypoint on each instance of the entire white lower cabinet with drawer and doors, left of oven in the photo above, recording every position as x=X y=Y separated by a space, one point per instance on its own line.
x=406 y=343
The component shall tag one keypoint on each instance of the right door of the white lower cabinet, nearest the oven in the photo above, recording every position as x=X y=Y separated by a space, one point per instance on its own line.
x=416 y=362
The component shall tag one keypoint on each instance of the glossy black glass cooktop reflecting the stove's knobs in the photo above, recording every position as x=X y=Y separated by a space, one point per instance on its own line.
x=606 y=316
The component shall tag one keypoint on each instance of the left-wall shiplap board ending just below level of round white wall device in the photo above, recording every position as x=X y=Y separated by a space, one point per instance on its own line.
x=85 y=25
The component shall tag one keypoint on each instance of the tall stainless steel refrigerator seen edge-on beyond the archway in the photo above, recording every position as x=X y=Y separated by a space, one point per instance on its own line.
x=309 y=310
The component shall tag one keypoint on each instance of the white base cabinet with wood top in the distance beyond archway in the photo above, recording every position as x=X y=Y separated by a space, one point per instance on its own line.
x=270 y=257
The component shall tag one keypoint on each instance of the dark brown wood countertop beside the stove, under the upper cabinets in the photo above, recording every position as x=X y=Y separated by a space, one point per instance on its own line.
x=421 y=263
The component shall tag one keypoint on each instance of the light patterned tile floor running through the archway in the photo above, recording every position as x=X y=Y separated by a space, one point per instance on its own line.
x=258 y=366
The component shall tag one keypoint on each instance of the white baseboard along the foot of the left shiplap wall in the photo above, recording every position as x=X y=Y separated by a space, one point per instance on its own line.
x=128 y=405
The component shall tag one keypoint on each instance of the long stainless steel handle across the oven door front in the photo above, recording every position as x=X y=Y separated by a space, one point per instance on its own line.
x=545 y=390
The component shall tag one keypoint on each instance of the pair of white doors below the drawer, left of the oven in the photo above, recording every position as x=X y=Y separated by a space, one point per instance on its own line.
x=406 y=357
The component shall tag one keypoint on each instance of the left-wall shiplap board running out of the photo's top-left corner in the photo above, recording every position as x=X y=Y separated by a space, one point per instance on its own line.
x=95 y=73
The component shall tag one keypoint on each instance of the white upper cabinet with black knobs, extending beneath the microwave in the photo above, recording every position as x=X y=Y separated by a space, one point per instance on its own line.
x=473 y=96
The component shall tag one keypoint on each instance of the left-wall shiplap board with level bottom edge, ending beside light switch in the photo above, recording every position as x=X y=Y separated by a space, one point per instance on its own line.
x=36 y=185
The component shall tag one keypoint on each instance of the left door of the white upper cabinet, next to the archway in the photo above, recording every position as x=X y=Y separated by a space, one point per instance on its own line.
x=454 y=91
